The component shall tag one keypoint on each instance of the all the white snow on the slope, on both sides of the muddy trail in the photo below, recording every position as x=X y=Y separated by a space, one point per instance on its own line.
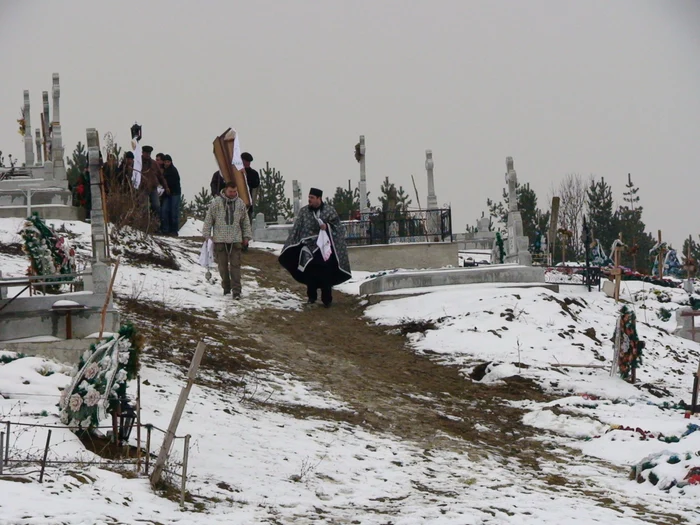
x=250 y=463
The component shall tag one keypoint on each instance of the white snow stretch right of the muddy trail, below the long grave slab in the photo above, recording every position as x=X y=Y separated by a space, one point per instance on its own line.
x=528 y=330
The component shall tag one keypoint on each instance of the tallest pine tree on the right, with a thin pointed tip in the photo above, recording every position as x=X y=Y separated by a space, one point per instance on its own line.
x=638 y=241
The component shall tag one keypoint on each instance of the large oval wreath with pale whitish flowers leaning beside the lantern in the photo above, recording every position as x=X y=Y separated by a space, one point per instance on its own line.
x=99 y=380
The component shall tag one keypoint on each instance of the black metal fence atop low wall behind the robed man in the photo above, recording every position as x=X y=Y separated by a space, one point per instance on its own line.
x=390 y=227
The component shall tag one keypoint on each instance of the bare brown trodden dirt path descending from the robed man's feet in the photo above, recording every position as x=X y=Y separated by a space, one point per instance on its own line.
x=392 y=388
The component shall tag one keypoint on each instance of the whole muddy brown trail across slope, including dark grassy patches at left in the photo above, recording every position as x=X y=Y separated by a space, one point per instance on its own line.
x=388 y=386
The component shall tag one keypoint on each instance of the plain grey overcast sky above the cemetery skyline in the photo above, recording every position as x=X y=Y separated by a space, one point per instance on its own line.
x=594 y=87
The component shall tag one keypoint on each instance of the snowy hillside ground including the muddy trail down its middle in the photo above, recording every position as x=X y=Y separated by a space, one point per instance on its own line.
x=442 y=407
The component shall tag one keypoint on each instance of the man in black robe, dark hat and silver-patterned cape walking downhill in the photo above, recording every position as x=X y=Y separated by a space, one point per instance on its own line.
x=315 y=253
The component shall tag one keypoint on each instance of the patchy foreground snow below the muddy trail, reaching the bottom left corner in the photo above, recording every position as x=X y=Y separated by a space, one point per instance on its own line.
x=252 y=466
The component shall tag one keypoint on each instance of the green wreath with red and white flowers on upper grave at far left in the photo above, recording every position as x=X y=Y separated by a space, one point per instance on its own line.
x=48 y=253
